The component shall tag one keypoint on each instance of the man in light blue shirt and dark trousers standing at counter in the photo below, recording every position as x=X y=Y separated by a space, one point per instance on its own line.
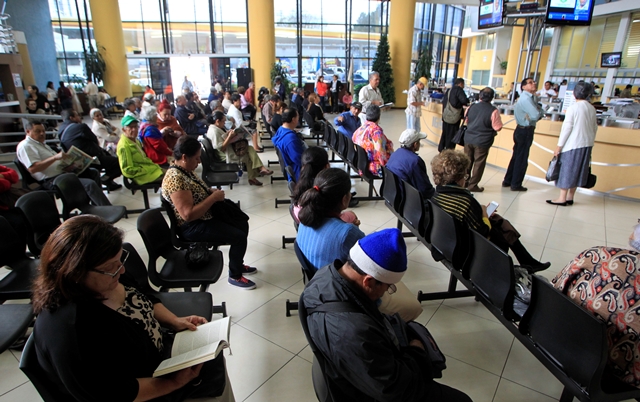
x=527 y=114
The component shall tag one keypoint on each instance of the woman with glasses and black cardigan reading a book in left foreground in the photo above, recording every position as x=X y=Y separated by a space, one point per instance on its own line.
x=94 y=324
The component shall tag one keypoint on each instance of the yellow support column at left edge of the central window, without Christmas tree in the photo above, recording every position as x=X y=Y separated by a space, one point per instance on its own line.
x=262 y=40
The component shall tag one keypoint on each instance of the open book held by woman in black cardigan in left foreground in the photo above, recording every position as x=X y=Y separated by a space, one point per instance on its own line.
x=195 y=347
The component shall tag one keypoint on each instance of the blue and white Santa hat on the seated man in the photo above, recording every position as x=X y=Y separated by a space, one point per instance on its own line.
x=382 y=255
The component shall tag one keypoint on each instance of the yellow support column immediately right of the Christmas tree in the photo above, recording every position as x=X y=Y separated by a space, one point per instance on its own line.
x=401 y=20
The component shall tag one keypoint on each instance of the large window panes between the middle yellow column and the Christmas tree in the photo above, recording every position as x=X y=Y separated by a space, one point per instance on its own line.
x=335 y=33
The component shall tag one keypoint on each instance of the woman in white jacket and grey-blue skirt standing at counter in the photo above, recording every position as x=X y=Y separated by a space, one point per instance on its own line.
x=575 y=144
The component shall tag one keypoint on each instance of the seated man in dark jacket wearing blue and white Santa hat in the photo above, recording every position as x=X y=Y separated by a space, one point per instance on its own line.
x=365 y=359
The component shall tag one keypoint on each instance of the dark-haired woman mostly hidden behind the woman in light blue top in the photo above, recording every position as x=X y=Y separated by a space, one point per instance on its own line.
x=315 y=160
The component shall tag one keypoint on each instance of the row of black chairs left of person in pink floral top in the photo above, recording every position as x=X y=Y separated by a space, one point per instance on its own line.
x=354 y=156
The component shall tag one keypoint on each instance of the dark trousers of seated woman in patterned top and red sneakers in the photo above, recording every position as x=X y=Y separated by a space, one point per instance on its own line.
x=216 y=231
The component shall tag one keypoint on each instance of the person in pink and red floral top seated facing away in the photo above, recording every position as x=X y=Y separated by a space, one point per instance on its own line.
x=371 y=137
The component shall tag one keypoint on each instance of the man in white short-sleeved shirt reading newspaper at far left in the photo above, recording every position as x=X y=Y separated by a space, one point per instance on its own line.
x=44 y=164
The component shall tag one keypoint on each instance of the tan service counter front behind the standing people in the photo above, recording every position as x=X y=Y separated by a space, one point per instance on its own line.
x=615 y=157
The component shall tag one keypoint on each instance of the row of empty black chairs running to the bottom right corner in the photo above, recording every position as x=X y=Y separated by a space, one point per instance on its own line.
x=569 y=341
